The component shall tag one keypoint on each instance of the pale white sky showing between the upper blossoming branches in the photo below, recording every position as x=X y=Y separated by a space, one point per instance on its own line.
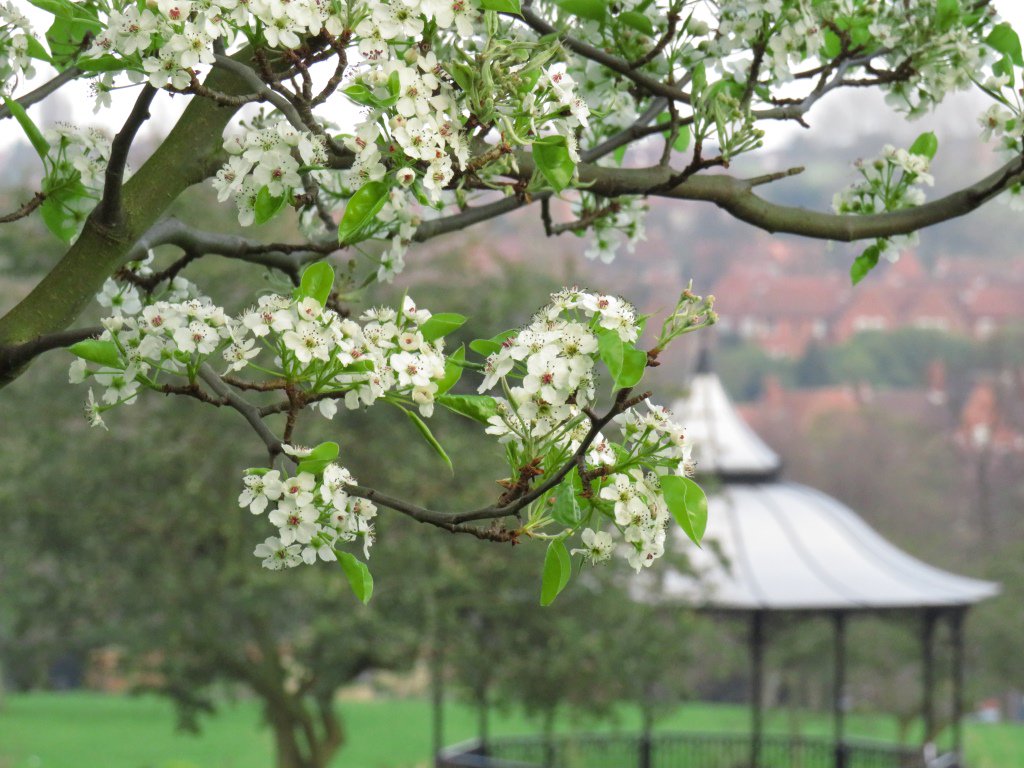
x=839 y=119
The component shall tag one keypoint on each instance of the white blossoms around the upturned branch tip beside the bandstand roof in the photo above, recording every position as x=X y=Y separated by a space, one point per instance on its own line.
x=556 y=357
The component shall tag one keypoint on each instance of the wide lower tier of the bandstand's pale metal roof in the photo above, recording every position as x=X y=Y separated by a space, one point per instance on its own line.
x=782 y=546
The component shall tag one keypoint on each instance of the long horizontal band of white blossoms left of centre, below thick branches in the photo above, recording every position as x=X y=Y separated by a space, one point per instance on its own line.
x=330 y=357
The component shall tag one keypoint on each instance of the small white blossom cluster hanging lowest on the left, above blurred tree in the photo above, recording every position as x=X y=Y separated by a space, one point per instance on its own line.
x=314 y=514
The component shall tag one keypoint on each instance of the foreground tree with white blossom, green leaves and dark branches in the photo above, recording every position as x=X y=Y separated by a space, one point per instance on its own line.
x=461 y=111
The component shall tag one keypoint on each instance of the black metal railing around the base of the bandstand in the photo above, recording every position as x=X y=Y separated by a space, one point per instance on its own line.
x=676 y=751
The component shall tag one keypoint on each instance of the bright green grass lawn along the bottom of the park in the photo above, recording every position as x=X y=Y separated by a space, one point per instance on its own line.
x=91 y=731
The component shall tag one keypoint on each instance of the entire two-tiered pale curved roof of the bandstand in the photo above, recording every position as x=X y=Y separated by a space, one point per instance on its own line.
x=774 y=545
